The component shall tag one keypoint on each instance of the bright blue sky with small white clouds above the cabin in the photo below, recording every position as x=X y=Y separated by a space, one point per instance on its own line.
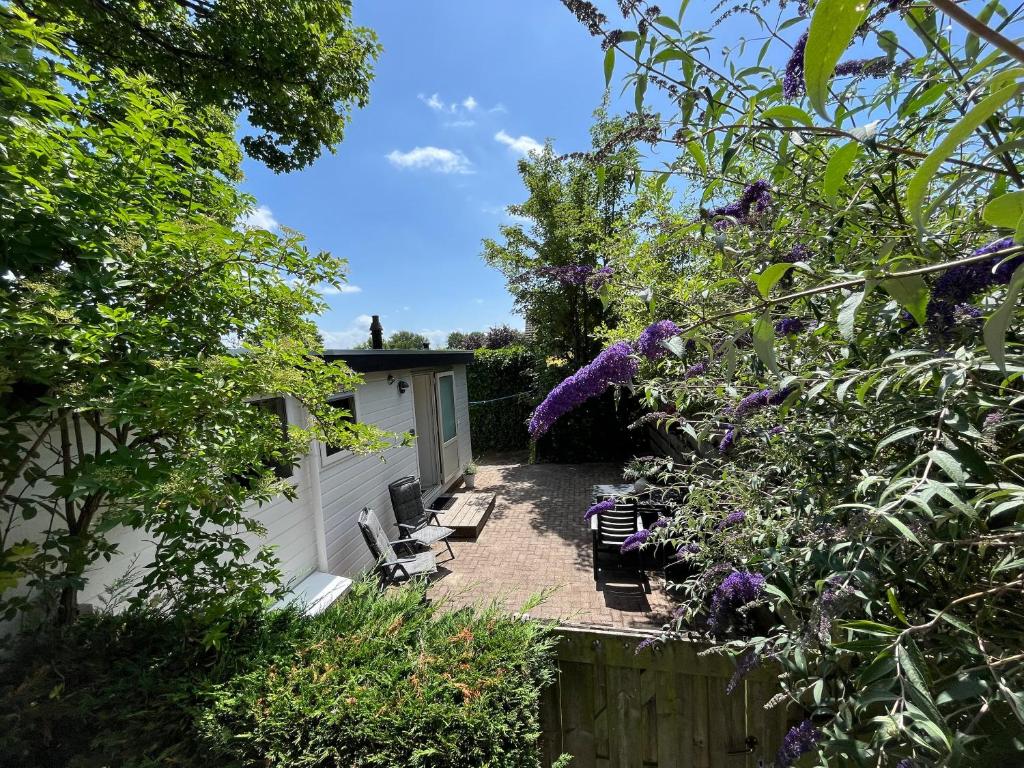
x=463 y=89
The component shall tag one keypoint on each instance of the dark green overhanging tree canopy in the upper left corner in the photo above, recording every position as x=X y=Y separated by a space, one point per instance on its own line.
x=296 y=70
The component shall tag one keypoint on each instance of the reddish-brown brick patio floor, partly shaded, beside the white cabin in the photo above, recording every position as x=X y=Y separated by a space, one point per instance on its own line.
x=537 y=540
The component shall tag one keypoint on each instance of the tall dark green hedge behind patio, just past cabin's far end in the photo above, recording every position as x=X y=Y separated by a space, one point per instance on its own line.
x=501 y=425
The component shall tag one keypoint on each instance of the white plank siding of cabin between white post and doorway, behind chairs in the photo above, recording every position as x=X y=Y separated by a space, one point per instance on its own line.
x=351 y=483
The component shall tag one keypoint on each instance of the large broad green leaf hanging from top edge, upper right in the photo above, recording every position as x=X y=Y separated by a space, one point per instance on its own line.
x=833 y=27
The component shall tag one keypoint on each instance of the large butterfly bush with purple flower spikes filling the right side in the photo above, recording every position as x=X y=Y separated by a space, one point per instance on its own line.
x=837 y=346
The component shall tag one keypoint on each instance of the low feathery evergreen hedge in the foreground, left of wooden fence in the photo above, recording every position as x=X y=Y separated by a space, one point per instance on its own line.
x=381 y=679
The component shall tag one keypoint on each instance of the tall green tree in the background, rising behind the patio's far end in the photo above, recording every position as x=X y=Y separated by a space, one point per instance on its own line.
x=557 y=265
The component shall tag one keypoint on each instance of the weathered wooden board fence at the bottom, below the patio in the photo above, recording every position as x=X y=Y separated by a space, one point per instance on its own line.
x=666 y=708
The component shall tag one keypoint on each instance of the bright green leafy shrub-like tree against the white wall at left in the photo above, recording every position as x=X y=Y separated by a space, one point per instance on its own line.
x=139 y=324
